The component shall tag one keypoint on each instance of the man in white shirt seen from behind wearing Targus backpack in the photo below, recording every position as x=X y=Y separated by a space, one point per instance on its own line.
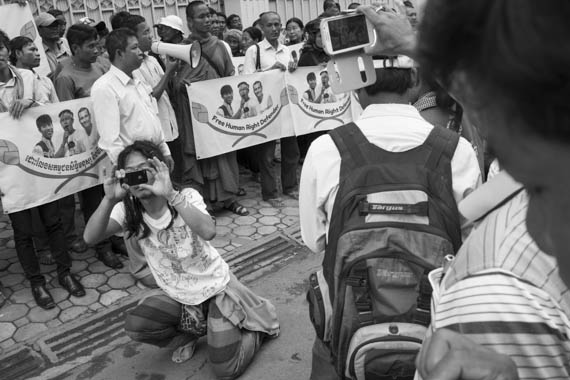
x=379 y=197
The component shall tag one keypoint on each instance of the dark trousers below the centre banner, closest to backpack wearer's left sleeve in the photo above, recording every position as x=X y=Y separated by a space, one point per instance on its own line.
x=289 y=164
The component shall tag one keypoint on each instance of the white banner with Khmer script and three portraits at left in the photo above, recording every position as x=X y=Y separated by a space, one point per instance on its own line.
x=41 y=162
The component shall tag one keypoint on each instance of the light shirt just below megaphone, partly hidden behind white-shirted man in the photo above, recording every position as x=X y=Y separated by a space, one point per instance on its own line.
x=151 y=73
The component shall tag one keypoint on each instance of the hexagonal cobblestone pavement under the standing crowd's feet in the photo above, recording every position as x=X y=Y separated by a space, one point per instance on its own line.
x=22 y=320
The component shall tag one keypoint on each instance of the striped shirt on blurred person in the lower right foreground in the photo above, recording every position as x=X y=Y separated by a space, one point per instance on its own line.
x=503 y=292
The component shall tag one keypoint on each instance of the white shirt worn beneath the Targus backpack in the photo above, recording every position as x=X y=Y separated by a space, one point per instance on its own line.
x=392 y=127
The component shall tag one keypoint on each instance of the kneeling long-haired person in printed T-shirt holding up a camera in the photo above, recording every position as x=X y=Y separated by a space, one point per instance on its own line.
x=199 y=295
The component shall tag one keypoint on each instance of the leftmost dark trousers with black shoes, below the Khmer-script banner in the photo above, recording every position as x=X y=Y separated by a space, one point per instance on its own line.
x=23 y=239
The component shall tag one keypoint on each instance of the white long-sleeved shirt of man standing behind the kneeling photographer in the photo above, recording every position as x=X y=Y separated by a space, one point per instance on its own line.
x=125 y=111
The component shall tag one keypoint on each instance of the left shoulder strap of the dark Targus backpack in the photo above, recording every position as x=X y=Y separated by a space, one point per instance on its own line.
x=350 y=142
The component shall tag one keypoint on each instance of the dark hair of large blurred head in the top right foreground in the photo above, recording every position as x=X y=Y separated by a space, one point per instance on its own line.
x=511 y=53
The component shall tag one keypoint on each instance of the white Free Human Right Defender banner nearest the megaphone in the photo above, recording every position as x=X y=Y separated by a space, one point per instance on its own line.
x=236 y=112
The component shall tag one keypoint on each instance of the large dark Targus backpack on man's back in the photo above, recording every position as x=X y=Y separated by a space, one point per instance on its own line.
x=394 y=220
